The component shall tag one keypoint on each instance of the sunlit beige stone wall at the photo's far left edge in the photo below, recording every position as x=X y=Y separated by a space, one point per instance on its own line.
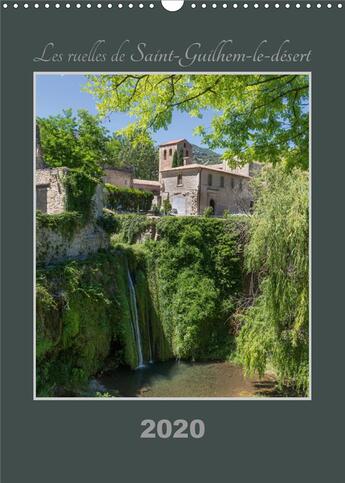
x=50 y=191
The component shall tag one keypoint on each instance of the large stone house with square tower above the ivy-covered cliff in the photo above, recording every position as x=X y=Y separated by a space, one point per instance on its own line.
x=191 y=188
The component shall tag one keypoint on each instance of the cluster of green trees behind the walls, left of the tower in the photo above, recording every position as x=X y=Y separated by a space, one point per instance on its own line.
x=82 y=141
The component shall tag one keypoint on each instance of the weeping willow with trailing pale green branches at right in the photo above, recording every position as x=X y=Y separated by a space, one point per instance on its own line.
x=276 y=328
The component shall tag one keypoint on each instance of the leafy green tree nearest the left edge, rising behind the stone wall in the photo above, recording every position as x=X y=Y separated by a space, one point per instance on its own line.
x=76 y=142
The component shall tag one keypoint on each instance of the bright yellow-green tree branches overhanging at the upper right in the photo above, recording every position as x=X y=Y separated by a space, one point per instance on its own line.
x=261 y=118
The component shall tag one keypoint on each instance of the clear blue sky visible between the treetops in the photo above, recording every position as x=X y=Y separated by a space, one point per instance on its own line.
x=57 y=92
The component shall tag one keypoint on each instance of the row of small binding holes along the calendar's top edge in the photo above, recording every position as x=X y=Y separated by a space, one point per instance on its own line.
x=192 y=5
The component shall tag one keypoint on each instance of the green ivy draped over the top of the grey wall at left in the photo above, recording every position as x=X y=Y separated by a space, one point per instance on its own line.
x=66 y=223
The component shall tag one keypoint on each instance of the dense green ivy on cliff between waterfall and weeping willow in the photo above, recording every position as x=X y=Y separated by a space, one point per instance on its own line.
x=198 y=278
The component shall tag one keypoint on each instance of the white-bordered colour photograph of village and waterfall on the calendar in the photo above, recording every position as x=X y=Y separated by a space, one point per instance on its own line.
x=172 y=235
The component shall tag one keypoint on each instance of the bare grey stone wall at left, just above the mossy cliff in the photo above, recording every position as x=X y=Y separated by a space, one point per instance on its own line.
x=53 y=247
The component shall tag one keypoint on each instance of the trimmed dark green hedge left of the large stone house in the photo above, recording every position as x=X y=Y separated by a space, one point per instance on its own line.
x=128 y=199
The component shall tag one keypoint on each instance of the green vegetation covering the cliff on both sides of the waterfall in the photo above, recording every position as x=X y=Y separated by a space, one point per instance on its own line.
x=183 y=291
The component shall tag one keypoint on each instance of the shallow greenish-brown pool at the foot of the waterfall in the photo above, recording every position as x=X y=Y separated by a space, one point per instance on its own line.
x=179 y=379
